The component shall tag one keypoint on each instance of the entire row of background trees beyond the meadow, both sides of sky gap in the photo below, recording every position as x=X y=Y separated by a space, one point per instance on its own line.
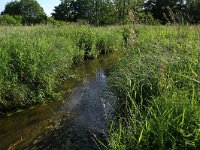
x=107 y=12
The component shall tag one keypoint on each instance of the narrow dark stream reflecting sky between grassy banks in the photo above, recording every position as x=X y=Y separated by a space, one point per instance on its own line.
x=73 y=123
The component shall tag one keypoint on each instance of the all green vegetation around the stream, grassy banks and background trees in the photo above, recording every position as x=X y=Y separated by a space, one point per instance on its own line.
x=157 y=81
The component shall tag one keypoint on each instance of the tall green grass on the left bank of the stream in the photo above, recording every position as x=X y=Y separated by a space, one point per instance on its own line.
x=33 y=59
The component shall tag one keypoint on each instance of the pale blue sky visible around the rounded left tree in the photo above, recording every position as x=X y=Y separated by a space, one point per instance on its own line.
x=48 y=5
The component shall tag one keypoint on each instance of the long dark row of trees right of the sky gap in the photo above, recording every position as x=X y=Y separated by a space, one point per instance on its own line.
x=105 y=12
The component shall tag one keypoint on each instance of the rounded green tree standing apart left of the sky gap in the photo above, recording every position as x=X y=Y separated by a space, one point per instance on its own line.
x=30 y=10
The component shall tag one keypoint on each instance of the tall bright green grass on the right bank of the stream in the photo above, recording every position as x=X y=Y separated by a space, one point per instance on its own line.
x=158 y=84
